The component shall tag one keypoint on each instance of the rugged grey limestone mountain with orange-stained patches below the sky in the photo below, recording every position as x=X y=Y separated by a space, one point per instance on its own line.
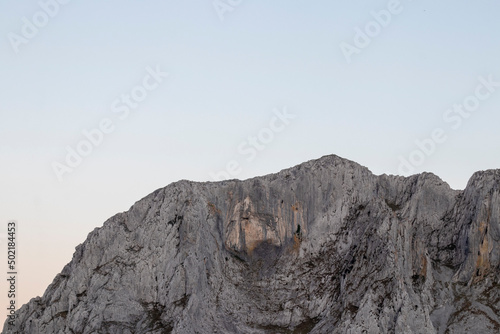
x=323 y=247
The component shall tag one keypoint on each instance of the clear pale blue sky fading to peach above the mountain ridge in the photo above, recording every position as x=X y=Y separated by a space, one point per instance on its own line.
x=91 y=122
